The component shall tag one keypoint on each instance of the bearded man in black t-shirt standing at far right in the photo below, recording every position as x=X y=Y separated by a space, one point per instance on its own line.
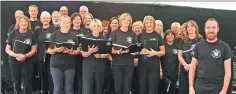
x=210 y=70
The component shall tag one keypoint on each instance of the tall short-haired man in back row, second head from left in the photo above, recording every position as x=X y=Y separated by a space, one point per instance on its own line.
x=33 y=12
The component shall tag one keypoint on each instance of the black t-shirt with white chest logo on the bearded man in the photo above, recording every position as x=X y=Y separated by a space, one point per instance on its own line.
x=211 y=57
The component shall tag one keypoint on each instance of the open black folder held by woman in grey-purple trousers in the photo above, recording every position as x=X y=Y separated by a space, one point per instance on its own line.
x=68 y=45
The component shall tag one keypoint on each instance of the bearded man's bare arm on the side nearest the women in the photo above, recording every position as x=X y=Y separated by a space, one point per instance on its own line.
x=192 y=71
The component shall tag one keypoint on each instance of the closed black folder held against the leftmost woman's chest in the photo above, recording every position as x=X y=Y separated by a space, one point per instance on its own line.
x=21 y=47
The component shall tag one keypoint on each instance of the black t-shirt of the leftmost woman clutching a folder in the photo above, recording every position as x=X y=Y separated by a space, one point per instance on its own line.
x=28 y=37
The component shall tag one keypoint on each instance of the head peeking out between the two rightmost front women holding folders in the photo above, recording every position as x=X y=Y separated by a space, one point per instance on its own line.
x=137 y=27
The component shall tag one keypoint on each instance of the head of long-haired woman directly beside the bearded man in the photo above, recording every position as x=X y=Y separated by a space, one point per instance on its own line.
x=192 y=28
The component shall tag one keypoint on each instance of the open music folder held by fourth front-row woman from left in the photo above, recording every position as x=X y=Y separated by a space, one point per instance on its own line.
x=132 y=48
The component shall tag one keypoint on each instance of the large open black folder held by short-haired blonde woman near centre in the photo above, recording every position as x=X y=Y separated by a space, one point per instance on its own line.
x=104 y=46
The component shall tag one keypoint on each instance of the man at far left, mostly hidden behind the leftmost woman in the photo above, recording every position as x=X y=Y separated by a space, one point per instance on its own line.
x=18 y=13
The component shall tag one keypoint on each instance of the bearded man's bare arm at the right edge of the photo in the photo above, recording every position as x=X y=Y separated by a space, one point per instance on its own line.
x=227 y=77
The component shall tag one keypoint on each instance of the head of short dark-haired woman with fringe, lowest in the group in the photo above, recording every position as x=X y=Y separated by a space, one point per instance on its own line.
x=169 y=35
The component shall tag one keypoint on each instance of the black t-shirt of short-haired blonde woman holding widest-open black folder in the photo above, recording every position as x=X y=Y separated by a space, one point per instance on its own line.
x=91 y=62
